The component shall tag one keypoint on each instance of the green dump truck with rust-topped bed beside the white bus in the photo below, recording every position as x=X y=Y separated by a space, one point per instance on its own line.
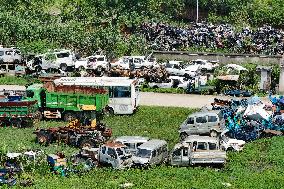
x=67 y=102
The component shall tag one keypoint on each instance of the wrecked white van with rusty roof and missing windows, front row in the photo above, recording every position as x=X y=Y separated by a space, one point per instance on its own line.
x=114 y=154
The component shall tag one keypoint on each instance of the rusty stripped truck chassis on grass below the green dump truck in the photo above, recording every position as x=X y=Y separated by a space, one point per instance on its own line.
x=75 y=134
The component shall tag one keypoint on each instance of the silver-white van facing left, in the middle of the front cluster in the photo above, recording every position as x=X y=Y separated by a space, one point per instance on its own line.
x=150 y=153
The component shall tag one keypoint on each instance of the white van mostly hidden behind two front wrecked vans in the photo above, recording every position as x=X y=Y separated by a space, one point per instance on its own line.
x=131 y=143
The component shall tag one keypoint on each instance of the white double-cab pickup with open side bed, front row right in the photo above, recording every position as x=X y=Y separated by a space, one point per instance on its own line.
x=197 y=150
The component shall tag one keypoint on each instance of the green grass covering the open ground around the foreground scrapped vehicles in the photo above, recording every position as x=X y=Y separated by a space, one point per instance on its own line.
x=260 y=165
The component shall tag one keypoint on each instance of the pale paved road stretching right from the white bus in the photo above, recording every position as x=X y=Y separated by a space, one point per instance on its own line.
x=179 y=100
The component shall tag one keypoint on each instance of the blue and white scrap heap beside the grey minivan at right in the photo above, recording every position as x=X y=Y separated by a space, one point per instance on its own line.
x=249 y=120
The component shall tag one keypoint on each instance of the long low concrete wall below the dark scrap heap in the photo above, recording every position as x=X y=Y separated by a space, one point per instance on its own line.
x=222 y=58
